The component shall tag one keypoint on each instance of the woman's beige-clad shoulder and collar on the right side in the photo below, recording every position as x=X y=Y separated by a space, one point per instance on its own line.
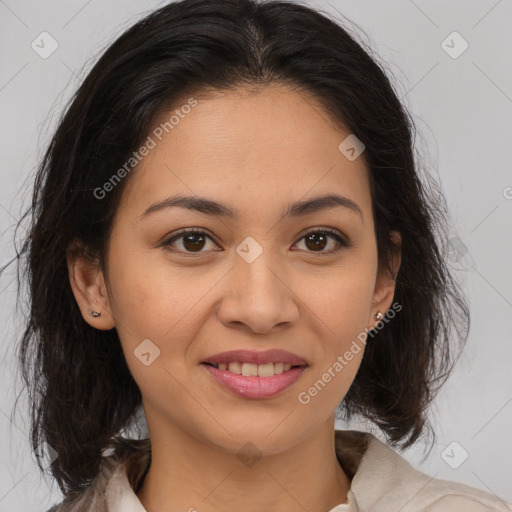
x=385 y=481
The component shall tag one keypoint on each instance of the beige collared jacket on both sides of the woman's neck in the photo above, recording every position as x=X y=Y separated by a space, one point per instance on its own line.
x=382 y=481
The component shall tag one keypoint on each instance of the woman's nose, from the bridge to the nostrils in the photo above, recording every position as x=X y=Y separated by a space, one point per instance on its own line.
x=259 y=297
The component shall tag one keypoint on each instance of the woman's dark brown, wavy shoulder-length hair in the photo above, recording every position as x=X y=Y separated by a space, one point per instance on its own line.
x=75 y=374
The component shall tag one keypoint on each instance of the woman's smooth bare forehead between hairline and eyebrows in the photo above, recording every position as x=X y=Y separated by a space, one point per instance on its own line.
x=246 y=145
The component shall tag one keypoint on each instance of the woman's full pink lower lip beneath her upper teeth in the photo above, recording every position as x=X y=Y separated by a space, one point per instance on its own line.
x=255 y=387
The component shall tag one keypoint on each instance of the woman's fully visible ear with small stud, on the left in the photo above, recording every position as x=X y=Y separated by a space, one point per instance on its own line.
x=89 y=288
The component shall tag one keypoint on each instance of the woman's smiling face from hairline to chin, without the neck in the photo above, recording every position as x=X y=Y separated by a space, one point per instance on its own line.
x=268 y=276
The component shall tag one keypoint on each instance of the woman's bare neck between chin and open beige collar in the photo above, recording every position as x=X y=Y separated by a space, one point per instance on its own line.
x=191 y=474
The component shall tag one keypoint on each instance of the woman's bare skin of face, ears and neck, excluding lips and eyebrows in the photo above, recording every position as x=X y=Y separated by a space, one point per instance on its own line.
x=239 y=148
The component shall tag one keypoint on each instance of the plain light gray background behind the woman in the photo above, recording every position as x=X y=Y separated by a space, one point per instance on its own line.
x=462 y=107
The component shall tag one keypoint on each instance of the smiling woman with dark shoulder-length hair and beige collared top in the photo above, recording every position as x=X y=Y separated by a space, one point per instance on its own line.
x=229 y=231
